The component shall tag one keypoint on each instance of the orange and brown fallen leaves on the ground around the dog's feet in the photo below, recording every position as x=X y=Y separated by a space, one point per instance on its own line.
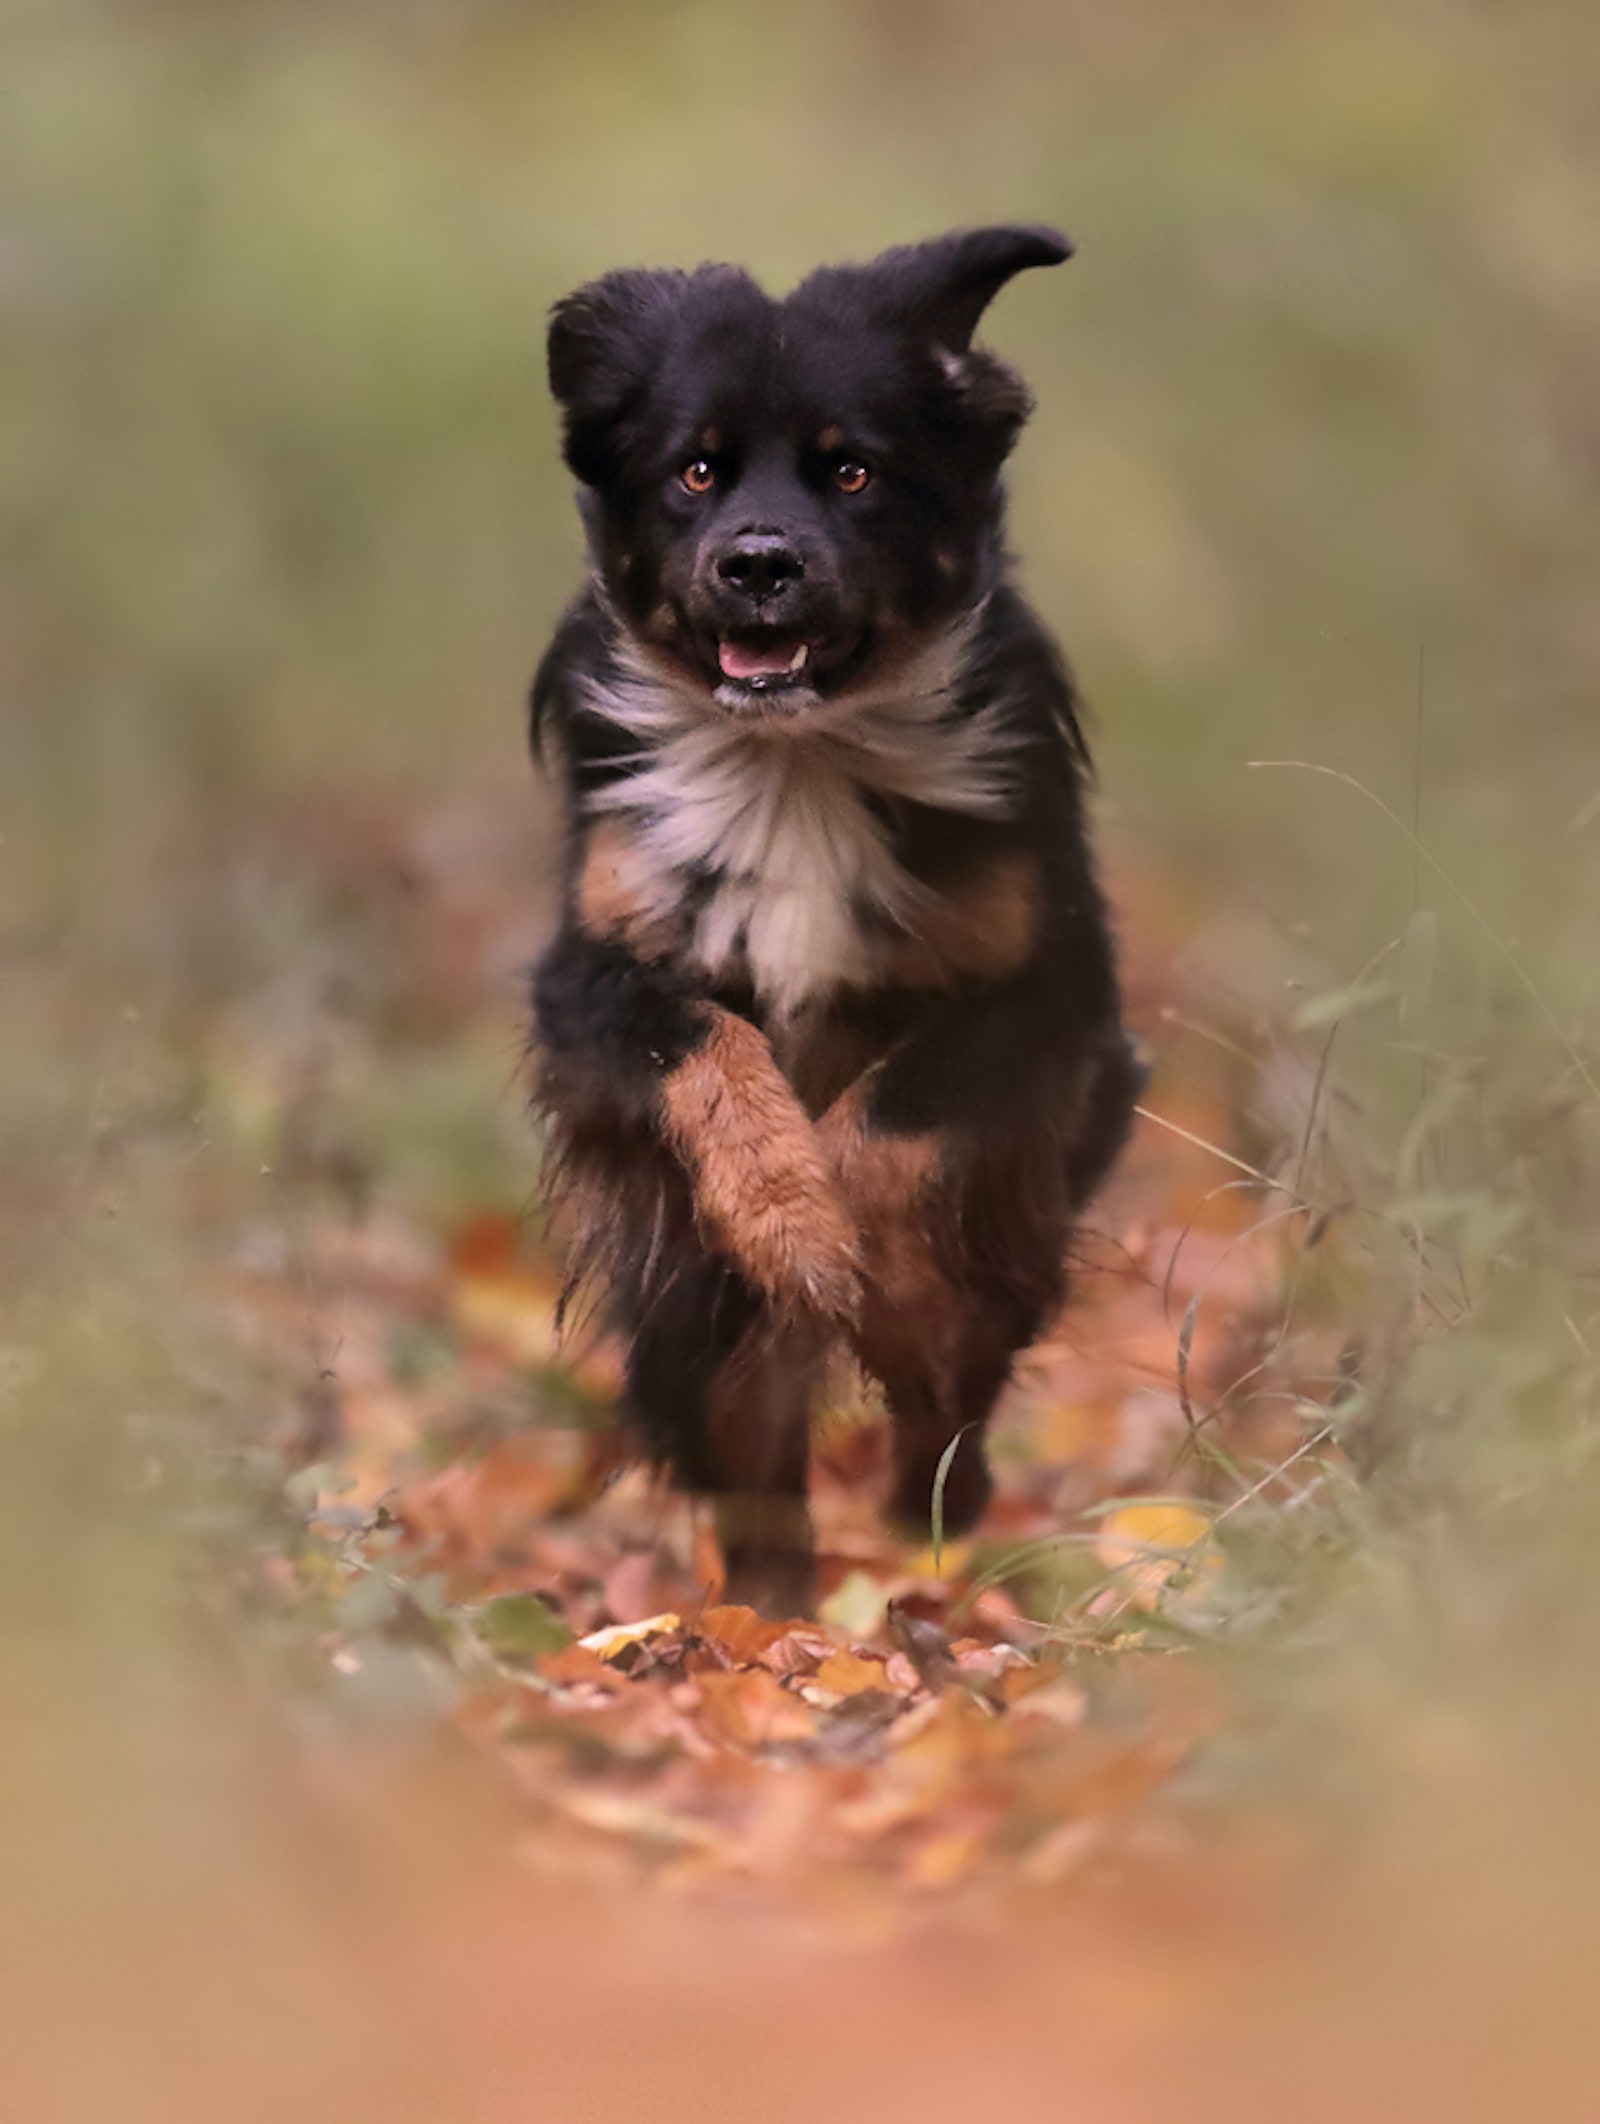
x=993 y=1715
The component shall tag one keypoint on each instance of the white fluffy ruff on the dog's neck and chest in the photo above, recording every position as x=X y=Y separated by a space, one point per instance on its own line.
x=806 y=891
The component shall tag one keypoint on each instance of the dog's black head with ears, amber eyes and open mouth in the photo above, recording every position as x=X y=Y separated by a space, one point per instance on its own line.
x=789 y=498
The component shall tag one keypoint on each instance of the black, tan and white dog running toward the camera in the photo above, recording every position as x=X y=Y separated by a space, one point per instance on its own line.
x=830 y=1035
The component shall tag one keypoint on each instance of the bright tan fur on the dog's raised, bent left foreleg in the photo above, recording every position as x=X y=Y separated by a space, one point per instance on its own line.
x=762 y=1184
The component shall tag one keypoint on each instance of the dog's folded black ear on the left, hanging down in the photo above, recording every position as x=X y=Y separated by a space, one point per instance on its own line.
x=605 y=343
